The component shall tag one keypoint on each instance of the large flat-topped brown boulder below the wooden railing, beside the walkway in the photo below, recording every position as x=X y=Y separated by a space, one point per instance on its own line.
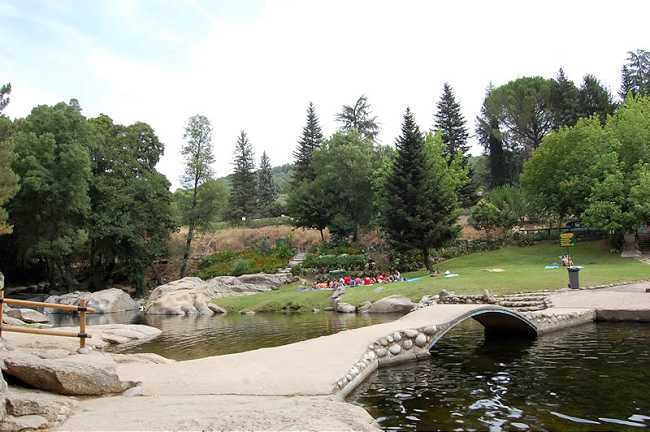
x=91 y=374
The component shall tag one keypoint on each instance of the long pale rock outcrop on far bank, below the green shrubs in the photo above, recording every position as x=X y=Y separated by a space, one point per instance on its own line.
x=192 y=295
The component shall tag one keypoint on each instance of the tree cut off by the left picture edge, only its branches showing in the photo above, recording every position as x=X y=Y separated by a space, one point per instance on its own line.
x=8 y=179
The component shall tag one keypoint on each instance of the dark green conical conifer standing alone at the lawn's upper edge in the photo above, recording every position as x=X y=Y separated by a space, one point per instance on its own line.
x=421 y=197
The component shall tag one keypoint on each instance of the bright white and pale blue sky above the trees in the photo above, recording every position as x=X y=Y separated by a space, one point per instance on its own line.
x=255 y=65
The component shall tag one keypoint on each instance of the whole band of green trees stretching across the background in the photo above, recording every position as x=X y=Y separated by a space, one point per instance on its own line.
x=82 y=195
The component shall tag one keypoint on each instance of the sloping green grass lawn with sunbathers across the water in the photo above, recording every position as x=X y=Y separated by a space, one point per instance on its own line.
x=523 y=271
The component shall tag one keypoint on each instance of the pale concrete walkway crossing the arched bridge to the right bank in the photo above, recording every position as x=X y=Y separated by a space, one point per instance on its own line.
x=301 y=378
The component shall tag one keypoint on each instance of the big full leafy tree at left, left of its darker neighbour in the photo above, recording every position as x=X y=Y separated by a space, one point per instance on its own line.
x=49 y=211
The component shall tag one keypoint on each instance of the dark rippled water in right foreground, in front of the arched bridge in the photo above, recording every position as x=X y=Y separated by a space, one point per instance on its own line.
x=591 y=378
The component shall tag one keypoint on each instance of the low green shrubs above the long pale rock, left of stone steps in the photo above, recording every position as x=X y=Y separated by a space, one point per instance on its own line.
x=246 y=262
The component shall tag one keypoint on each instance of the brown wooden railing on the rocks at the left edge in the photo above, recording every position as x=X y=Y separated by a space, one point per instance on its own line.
x=82 y=309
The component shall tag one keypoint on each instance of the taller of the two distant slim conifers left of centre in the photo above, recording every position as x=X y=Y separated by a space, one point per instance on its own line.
x=243 y=196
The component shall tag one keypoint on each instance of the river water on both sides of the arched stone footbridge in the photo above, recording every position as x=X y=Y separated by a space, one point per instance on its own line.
x=595 y=377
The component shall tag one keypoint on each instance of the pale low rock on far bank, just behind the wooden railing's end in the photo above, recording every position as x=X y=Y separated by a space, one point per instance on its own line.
x=105 y=301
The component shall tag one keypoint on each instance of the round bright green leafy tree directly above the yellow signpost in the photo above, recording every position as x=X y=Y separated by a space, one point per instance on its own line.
x=569 y=163
